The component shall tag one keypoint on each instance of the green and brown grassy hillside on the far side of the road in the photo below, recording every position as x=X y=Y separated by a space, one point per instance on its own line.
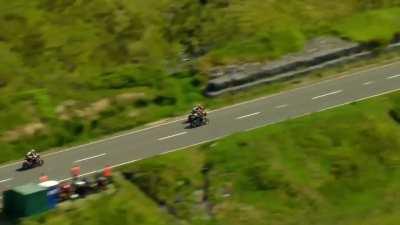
x=92 y=52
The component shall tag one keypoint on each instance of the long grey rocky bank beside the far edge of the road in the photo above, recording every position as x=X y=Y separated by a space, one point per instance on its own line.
x=318 y=53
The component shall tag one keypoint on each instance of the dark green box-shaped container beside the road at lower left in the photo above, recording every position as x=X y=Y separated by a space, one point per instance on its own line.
x=25 y=201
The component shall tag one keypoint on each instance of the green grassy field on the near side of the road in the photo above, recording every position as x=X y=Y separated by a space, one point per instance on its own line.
x=340 y=166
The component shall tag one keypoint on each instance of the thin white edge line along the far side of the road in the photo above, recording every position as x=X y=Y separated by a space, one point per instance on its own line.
x=125 y=133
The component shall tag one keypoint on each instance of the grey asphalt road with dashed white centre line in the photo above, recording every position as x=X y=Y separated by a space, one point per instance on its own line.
x=168 y=137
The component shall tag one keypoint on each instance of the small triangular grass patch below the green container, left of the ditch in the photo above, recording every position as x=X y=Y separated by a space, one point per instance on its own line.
x=126 y=206
